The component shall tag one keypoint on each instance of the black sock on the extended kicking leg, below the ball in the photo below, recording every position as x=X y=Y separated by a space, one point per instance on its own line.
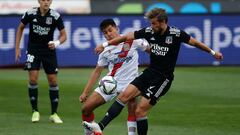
x=112 y=112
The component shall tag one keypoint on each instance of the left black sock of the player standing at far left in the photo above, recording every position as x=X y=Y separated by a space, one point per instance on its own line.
x=33 y=96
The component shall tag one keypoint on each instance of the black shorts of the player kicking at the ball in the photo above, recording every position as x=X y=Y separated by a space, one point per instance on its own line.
x=152 y=85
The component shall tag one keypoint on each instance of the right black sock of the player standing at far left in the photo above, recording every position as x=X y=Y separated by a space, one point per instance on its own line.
x=54 y=97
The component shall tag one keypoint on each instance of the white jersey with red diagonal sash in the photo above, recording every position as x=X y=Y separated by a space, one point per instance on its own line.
x=122 y=59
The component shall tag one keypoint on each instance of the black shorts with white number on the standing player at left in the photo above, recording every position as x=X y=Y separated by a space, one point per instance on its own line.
x=48 y=60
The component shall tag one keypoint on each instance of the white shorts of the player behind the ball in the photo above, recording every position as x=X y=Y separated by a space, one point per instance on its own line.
x=121 y=86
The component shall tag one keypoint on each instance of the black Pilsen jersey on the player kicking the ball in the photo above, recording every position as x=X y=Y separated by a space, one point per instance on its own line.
x=164 y=48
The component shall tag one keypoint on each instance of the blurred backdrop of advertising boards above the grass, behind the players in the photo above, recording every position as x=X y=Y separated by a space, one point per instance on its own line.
x=214 y=22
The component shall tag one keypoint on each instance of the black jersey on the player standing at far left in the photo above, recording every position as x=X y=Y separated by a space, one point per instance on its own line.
x=41 y=27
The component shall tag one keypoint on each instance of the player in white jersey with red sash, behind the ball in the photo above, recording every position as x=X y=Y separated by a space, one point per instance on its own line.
x=122 y=62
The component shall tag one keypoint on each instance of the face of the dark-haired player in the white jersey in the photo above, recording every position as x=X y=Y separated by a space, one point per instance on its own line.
x=110 y=32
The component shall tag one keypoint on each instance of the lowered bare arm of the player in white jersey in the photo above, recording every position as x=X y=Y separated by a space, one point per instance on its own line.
x=91 y=82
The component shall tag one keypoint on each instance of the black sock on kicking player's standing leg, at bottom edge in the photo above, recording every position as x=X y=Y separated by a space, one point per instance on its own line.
x=142 y=126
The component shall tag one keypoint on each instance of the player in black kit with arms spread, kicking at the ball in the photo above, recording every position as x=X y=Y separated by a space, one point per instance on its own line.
x=155 y=80
